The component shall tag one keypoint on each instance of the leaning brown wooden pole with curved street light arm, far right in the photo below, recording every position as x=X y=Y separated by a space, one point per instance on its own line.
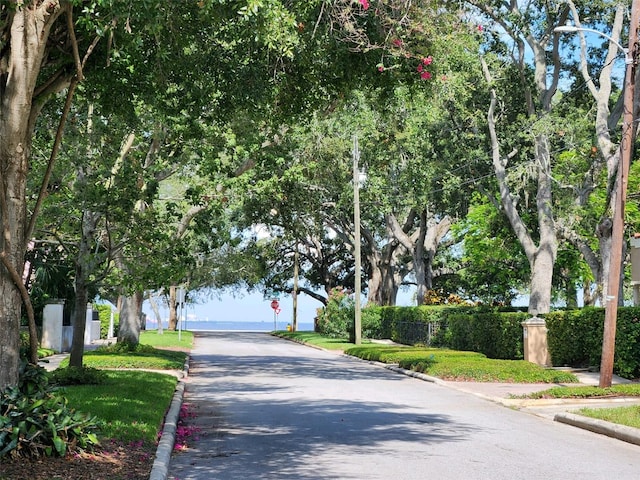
x=617 y=232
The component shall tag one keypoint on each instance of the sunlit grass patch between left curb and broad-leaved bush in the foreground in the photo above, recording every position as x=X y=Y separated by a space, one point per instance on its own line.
x=131 y=404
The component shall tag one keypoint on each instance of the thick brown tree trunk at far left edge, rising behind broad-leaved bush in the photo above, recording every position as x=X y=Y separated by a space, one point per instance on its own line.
x=20 y=63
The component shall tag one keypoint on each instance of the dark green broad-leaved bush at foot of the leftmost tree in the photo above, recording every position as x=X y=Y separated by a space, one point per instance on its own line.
x=35 y=419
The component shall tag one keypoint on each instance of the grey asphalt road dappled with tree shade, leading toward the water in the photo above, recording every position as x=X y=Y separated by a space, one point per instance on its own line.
x=272 y=409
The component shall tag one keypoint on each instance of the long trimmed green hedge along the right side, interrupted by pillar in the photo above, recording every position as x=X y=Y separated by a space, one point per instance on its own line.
x=574 y=336
